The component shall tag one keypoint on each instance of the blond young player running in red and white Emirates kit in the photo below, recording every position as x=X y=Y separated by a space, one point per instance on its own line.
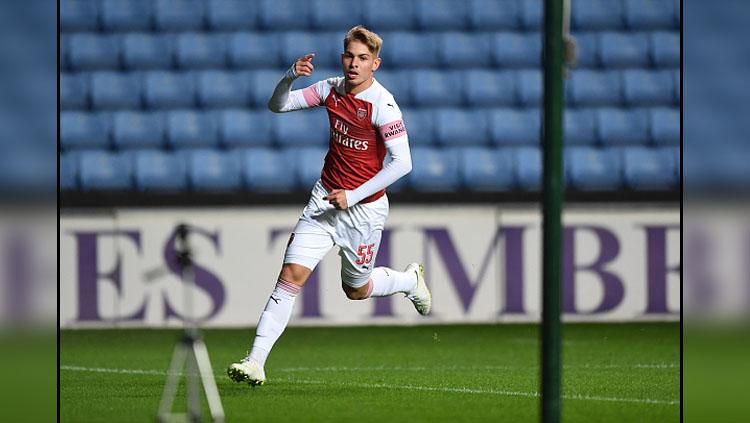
x=348 y=206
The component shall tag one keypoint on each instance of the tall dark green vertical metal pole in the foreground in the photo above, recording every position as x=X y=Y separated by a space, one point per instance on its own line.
x=552 y=190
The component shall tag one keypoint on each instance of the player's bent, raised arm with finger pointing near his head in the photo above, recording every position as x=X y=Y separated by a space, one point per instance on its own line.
x=286 y=100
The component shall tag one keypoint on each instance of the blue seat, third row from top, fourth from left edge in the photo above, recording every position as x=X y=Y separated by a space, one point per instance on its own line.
x=223 y=89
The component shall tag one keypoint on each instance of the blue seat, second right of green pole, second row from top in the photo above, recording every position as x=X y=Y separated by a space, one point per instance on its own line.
x=619 y=49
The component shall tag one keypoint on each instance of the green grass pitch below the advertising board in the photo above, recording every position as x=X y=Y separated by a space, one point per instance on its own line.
x=468 y=373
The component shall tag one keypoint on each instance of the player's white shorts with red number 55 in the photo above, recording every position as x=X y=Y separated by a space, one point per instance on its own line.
x=356 y=230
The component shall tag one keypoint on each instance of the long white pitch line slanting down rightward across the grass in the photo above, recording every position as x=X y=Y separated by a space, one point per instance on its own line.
x=407 y=387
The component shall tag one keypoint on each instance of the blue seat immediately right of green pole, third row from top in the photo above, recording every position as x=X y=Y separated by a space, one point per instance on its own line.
x=594 y=88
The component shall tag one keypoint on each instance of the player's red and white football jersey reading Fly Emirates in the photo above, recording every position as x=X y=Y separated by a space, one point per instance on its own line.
x=360 y=126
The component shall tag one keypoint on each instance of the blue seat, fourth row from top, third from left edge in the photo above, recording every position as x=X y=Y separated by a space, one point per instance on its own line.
x=190 y=128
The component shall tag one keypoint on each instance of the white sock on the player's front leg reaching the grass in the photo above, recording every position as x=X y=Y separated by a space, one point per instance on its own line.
x=274 y=319
